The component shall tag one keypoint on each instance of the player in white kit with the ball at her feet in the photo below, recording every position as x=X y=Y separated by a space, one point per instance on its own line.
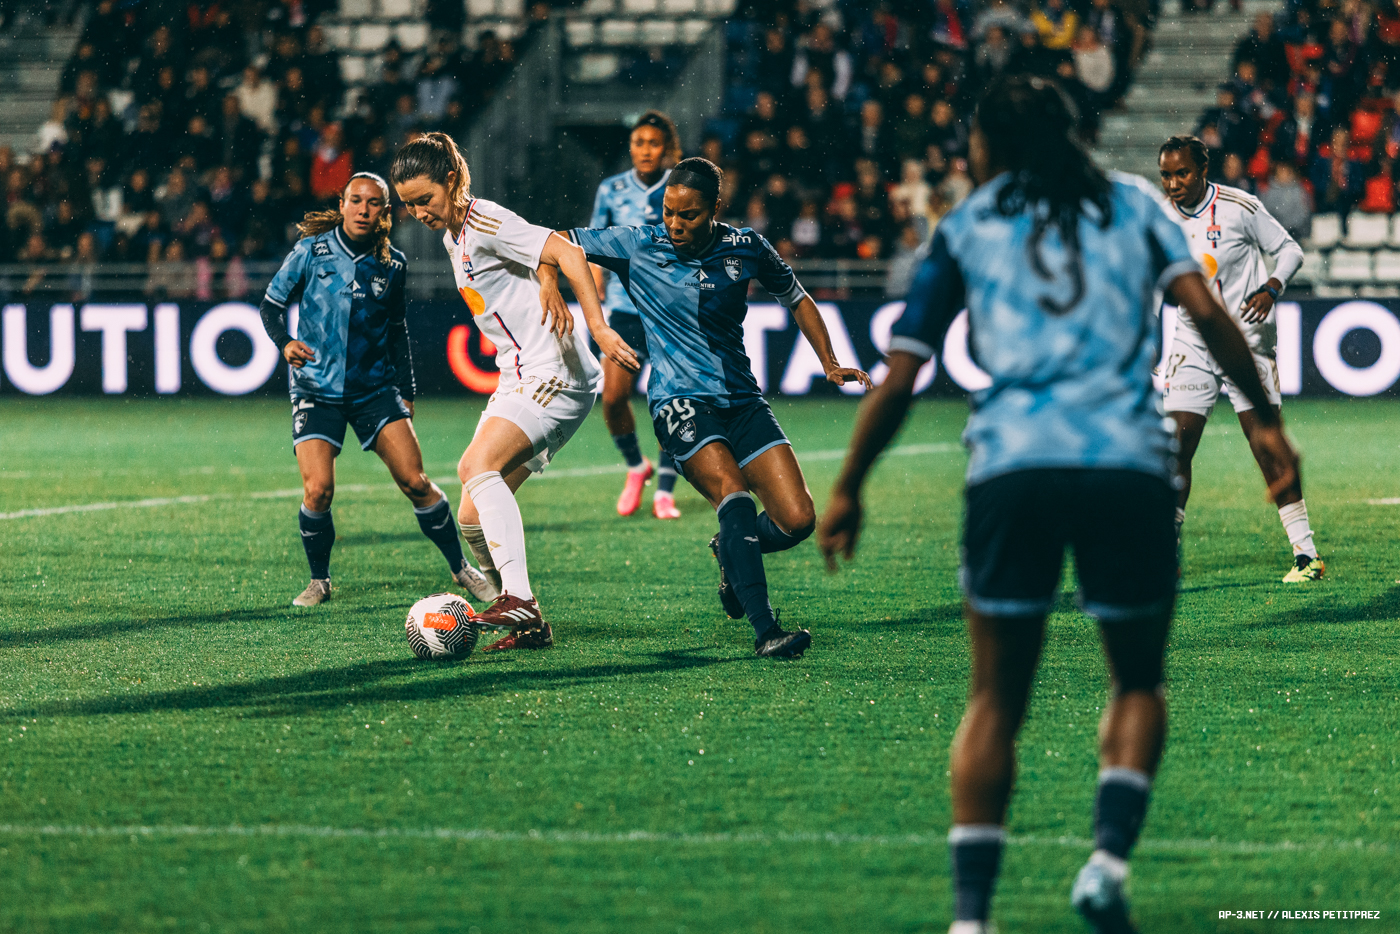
x=549 y=376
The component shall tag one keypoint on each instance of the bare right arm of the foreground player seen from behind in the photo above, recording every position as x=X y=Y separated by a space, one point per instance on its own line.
x=1227 y=345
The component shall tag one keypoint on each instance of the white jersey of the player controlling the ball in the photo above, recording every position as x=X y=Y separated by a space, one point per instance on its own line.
x=495 y=258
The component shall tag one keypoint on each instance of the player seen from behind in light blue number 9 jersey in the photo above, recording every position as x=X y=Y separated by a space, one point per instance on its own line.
x=1058 y=268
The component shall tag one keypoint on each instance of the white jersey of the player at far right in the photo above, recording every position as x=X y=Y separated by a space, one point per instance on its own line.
x=1230 y=232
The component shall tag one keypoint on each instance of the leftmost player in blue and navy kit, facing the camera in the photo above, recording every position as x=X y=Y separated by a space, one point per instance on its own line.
x=351 y=366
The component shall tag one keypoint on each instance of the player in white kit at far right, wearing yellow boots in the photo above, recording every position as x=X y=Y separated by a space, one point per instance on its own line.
x=1230 y=232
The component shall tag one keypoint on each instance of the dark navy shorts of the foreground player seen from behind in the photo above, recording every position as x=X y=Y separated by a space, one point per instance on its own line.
x=1122 y=526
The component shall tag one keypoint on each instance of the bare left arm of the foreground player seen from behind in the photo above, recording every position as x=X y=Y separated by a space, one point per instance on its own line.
x=876 y=426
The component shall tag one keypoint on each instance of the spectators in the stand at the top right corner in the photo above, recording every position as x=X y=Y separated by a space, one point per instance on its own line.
x=1308 y=121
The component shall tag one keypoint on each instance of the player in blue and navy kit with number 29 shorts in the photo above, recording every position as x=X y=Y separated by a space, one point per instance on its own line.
x=689 y=279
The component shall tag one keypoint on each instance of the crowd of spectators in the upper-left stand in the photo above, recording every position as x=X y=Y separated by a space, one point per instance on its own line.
x=205 y=137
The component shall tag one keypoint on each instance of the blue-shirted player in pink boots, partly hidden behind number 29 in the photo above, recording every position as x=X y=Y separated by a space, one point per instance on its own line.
x=629 y=200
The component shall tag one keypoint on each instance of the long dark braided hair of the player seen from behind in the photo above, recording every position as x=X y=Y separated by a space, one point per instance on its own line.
x=1030 y=127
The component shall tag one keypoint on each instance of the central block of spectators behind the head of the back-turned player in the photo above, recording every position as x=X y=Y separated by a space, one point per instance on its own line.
x=848 y=131
